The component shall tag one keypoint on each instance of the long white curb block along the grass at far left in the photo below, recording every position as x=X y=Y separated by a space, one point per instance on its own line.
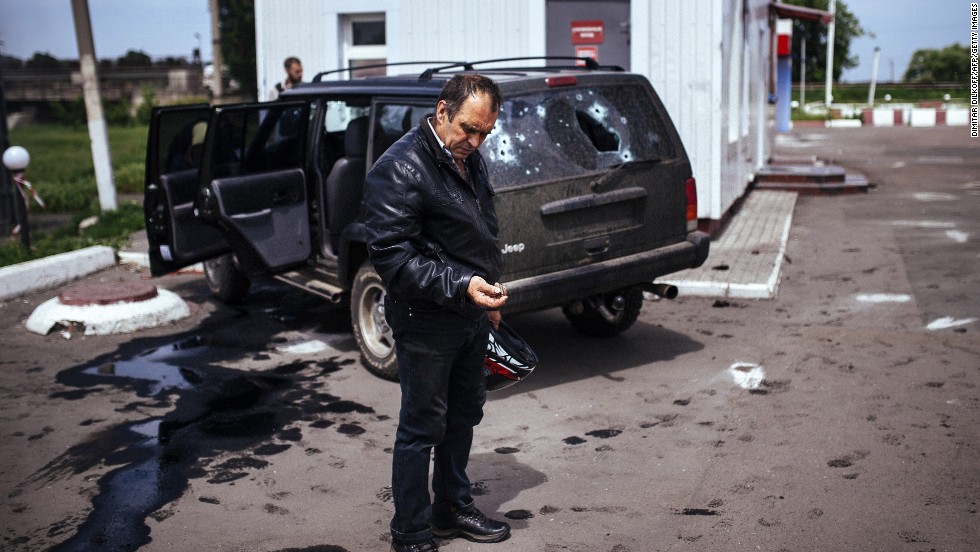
x=54 y=270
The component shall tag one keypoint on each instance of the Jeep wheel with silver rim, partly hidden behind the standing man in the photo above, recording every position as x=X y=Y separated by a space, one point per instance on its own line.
x=371 y=331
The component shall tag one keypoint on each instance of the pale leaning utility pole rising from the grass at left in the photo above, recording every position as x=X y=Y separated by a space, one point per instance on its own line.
x=97 y=131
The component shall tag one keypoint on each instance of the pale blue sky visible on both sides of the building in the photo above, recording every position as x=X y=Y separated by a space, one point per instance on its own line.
x=175 y=27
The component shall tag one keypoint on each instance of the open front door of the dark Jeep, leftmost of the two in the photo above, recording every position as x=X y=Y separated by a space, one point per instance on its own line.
x=175 y=146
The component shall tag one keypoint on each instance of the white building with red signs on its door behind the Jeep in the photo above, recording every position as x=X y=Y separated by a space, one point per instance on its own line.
x=710 y=60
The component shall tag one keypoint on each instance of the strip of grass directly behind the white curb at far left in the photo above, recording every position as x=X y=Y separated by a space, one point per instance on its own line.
x=112 y=229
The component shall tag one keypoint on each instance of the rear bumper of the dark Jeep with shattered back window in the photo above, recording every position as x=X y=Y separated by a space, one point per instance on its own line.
x=562 y=287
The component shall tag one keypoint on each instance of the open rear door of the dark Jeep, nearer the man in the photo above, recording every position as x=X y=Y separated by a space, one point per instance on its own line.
x=252 y=183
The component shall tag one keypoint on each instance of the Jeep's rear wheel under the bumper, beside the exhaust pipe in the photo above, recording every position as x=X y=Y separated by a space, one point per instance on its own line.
x=606 y=315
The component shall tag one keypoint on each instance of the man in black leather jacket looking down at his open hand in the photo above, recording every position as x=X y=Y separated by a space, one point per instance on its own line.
x=432 y=237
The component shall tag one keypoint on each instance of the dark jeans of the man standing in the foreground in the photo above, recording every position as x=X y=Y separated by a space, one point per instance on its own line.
x=440 y=367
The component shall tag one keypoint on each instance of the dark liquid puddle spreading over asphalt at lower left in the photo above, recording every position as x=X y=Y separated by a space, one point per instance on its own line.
x=212 y=411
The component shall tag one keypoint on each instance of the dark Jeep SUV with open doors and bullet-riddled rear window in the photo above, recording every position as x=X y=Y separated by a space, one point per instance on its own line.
x=594 y=191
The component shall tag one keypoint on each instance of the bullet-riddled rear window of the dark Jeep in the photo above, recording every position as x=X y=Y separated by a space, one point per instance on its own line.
x=566 y=132
